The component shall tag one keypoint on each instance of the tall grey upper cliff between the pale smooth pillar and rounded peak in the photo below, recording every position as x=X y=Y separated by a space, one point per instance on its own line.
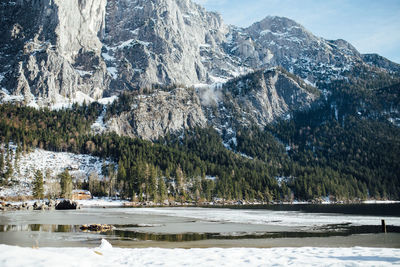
x=164 y=42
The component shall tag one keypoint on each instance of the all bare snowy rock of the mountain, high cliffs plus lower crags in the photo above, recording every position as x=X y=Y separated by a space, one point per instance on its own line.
x=57 y=51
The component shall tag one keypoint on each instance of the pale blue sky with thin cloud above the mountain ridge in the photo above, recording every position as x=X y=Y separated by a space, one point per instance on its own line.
x=372 y=26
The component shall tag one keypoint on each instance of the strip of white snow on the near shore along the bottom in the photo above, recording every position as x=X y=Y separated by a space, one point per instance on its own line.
x=106 y=255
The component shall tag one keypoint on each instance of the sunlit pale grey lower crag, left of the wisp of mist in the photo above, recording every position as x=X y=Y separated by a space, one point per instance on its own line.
x=154 y=115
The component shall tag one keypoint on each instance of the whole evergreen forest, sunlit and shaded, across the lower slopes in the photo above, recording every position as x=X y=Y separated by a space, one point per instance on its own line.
x=344 y=148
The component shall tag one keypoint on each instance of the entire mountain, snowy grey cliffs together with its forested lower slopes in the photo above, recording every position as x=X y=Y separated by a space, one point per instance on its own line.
x=293 y=108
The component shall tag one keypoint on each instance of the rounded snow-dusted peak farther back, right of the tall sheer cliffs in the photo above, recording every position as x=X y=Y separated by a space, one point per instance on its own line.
x=277 y=41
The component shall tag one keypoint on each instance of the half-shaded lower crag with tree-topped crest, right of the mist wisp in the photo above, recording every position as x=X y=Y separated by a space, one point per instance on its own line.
x=258 y=98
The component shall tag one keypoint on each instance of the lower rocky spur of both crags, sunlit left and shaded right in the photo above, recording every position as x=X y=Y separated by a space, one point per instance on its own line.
x=256 y=98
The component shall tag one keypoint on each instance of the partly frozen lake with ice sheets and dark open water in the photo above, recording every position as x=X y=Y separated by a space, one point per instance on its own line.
x=200 y=227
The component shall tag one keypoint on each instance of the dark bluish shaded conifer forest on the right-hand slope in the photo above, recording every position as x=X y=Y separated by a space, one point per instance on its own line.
x=338 y=150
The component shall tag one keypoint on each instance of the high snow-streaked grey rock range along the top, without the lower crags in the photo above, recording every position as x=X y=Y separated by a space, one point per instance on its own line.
x=116 y=45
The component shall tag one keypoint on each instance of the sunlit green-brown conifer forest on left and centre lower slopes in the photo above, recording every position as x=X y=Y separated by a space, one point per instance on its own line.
x=143 y=167
